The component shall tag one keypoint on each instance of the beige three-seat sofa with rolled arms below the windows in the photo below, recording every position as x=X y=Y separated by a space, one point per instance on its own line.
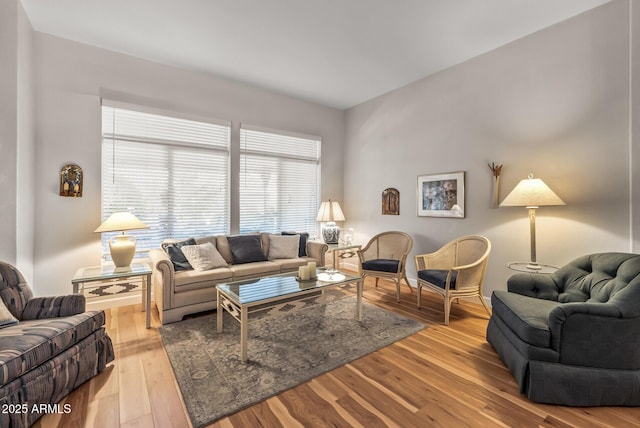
x=178 y=293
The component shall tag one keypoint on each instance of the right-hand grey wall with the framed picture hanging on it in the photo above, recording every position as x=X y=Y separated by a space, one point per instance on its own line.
x=554 y=103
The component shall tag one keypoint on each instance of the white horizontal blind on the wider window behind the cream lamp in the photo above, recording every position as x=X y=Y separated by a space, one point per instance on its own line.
x=172 y=173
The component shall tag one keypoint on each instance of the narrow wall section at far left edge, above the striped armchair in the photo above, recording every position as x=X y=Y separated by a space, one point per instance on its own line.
x=16 y=137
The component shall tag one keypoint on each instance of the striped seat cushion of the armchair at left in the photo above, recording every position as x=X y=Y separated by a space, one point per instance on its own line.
x=27 y=345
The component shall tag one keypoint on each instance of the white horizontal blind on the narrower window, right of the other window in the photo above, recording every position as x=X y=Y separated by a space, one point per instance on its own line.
x=279 y=181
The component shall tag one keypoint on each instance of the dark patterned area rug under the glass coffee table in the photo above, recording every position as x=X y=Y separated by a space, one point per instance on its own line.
x=284 y=350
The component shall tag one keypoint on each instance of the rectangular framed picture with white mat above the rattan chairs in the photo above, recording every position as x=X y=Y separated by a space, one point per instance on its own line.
x=441 y=195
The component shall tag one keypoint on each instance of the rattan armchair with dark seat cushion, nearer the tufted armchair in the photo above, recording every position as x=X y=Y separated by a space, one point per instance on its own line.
x=455 y=270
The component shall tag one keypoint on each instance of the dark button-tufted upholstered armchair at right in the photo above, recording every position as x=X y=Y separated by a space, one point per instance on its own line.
x=573 y=337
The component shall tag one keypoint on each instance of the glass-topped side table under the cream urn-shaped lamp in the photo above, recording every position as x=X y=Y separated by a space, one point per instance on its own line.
x=98 y=275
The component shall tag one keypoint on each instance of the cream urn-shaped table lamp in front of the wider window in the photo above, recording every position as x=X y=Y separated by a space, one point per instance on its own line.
x=122 y=247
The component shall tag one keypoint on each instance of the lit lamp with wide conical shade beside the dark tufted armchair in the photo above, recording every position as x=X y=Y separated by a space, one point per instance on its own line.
x=532 y=193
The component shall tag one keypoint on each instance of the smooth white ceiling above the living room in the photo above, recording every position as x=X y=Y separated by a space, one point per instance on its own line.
x=337 y=53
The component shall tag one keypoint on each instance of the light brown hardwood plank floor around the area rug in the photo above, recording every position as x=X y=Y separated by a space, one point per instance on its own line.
x=440 y=377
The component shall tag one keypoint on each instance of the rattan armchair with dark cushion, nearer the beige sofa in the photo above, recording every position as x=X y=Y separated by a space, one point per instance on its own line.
x=385 y=256
